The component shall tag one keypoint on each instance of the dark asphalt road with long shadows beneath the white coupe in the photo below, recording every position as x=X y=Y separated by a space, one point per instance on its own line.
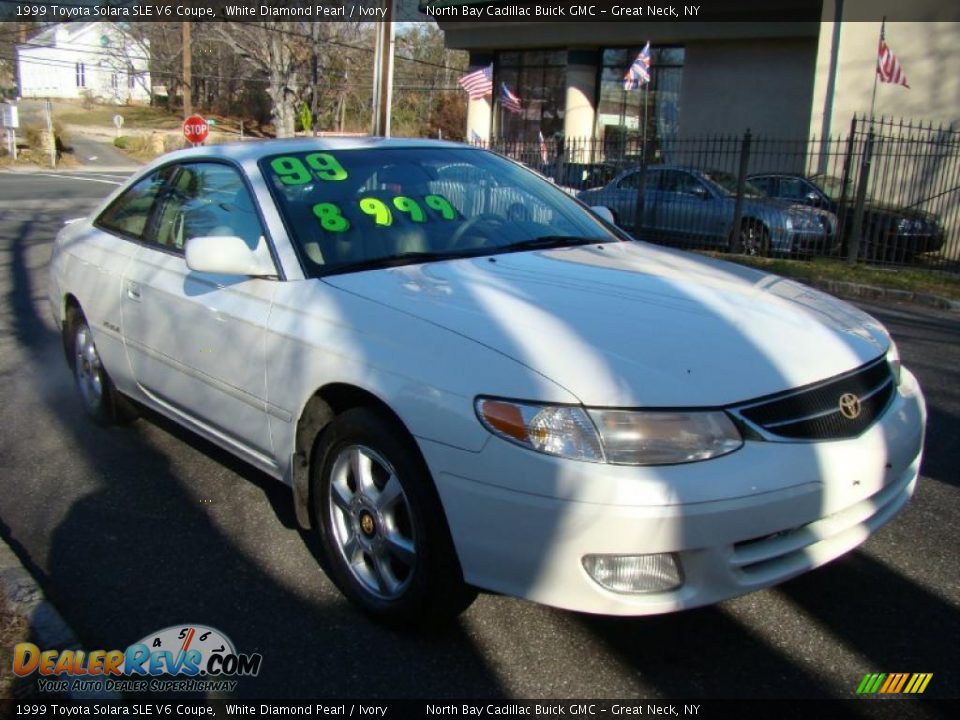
x=134 y=529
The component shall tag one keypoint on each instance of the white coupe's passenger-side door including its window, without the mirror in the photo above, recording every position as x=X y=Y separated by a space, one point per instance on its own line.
x=196 y=340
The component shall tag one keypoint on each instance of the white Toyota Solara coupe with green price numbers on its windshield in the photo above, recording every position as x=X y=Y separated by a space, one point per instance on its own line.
x=470 y=380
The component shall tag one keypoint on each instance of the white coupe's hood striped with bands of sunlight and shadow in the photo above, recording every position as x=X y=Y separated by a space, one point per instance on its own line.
x=630 y=324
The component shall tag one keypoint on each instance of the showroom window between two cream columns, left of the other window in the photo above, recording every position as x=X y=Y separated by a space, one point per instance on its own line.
x=538 y=78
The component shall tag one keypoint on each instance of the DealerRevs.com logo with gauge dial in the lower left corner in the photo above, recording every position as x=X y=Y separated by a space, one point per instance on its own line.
x=185 y=658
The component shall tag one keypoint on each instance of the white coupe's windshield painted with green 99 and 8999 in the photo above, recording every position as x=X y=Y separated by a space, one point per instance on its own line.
x=357 y=209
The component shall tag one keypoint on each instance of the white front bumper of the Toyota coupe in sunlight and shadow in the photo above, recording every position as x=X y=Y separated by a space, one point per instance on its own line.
x=522 y=521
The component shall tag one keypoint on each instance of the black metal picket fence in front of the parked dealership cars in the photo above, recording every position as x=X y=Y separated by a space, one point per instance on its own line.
x=887 y=192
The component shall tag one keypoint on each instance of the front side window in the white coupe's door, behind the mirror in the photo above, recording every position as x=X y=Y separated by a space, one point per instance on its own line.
x=206 y=199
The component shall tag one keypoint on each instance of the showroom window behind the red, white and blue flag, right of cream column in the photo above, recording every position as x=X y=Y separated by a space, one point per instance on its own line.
x=649 y=116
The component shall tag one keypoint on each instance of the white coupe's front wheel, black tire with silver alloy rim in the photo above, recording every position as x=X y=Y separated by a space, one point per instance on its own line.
x=385 y=537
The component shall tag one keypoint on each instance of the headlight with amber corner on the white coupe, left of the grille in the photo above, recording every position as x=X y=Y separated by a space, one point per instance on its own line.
x=619 y=437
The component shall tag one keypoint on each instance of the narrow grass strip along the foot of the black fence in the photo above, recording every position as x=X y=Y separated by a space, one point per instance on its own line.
x=920 y=280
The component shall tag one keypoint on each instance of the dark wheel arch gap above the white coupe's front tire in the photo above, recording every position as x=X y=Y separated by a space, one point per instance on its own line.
x=323 y=406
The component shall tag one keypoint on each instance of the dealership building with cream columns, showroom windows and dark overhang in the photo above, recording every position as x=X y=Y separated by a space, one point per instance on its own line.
x=779 y=79
